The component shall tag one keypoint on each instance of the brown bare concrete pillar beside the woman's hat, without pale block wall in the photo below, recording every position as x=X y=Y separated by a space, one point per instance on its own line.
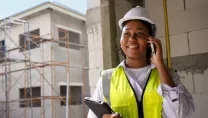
x=108 y=21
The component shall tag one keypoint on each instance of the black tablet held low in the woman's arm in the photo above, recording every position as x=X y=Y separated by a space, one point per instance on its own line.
x=98 y=107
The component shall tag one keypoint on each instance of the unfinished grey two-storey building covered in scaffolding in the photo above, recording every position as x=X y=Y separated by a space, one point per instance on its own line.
x=42 y=50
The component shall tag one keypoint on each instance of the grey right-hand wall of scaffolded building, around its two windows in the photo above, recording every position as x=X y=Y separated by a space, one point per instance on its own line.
x=77 y=59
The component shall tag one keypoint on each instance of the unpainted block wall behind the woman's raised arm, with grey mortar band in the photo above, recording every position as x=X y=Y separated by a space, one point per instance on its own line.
x=188 y=38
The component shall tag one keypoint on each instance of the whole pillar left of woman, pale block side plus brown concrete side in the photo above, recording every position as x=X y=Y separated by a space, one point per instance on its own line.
x=101 y=31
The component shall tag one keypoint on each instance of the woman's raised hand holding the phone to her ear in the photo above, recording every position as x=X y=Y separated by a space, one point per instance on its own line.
x=157 y=59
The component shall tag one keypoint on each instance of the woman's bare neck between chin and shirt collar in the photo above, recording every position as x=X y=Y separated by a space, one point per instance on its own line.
x=135 y=63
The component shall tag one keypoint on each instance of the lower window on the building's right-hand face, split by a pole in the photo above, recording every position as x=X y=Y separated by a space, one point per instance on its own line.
x=76 y=95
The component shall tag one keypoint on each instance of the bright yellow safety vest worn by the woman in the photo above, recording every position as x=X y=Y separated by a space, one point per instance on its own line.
x=124 y=100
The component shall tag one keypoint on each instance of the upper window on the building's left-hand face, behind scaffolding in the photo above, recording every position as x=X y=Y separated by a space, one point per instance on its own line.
x=34 y=40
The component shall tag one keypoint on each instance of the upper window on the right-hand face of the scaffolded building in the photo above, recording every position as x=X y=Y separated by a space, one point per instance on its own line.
x=69 y=36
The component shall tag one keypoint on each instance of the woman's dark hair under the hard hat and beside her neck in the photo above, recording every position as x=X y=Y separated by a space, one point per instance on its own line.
x=151 y=33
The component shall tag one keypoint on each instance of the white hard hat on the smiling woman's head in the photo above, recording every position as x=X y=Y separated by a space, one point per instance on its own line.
x=137 y=13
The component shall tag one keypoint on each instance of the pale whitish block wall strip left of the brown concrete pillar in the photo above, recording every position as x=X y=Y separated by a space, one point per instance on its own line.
x=95 y=49
